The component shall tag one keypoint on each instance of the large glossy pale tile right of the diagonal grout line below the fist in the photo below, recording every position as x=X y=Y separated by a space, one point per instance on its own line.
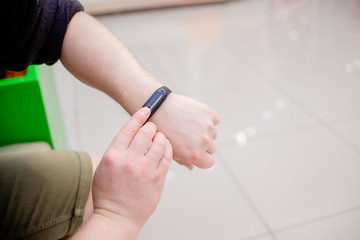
x=297 y=177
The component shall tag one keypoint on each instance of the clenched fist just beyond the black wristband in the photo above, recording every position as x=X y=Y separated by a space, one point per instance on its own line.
x=190 y=127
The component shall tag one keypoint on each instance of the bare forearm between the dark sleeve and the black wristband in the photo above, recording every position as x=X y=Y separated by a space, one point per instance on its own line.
x=99 y=59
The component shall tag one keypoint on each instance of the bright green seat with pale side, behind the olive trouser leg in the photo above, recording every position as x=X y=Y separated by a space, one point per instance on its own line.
x=30 y=110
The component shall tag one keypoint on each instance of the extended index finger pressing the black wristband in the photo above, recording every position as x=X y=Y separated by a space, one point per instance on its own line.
x=123 y=139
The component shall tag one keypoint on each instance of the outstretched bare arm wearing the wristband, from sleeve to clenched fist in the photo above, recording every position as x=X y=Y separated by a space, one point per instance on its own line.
x=99 y=59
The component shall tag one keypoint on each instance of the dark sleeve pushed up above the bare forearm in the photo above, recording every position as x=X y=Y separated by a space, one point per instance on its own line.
x=33 y=31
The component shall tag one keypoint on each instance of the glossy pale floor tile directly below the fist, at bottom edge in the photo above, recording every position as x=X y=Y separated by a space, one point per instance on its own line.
x=203 y=204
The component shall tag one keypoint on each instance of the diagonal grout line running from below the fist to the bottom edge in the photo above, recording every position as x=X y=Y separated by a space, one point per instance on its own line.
x=247 y=198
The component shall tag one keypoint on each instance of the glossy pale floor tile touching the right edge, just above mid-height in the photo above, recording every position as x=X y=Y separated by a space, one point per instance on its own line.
x=338 y=98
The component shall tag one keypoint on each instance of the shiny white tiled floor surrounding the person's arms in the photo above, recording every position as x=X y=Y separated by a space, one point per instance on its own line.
x=284 y=77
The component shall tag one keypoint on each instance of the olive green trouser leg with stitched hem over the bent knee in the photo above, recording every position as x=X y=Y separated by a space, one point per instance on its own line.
x=43 y=193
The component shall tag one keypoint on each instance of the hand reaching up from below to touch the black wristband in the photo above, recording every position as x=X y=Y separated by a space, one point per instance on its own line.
x=130 y=178
